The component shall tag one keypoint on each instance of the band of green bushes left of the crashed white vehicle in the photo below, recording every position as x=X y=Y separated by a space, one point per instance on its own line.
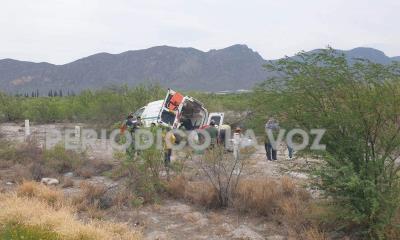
x=104 y=106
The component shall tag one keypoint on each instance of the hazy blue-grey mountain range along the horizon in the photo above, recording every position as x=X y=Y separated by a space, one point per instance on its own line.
x=232 y=68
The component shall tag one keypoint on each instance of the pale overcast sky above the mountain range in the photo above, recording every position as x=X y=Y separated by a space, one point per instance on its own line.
x=61 y=31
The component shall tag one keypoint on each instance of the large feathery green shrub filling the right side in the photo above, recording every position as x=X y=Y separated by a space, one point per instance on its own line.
x=358 y=106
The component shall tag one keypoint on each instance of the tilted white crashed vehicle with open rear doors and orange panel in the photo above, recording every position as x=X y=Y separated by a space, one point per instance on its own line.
x=177 y=110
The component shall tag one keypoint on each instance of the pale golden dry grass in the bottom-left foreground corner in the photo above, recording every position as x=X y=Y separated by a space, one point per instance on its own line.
x=36 y=213
